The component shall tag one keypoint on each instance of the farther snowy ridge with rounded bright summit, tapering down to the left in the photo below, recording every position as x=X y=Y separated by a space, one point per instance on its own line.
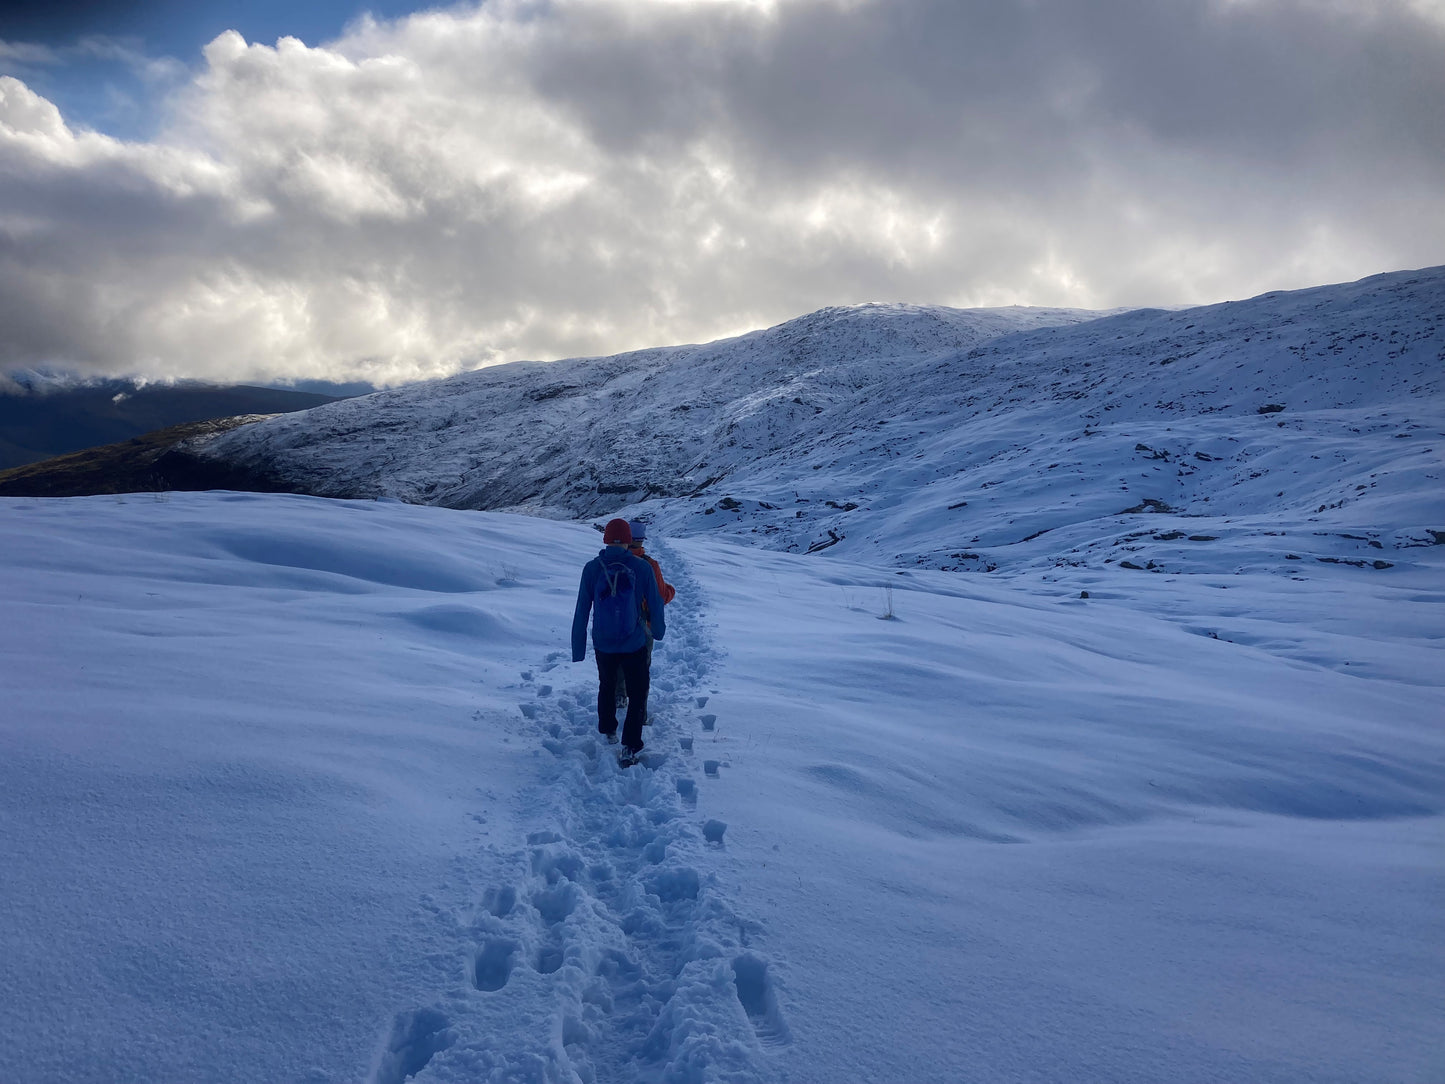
x=574 y=439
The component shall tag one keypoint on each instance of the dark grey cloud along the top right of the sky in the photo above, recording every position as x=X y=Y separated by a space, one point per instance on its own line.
x=956 y=89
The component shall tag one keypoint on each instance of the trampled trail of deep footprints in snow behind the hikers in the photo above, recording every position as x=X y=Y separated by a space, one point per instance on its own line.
x=615 y=929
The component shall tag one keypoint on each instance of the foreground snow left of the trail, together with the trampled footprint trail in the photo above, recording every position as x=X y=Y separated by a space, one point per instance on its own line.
x=280 y=804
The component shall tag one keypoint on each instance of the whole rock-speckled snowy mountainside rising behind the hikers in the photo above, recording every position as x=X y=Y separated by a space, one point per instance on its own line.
x=953 y=439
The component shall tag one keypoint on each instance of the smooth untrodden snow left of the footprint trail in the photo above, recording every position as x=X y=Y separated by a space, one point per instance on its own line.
x=238 y=749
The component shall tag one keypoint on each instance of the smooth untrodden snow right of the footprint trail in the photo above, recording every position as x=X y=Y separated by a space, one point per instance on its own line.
x=1012 y=835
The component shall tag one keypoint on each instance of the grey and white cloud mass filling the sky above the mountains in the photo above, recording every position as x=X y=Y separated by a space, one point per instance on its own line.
x=540 y=180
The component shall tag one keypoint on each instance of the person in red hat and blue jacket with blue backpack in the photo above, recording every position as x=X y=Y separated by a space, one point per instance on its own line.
x=615 y=588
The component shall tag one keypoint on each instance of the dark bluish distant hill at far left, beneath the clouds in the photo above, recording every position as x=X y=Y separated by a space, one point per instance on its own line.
x=41 y=421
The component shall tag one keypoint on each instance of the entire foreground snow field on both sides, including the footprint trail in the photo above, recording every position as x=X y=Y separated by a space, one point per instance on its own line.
x=307 y=791
